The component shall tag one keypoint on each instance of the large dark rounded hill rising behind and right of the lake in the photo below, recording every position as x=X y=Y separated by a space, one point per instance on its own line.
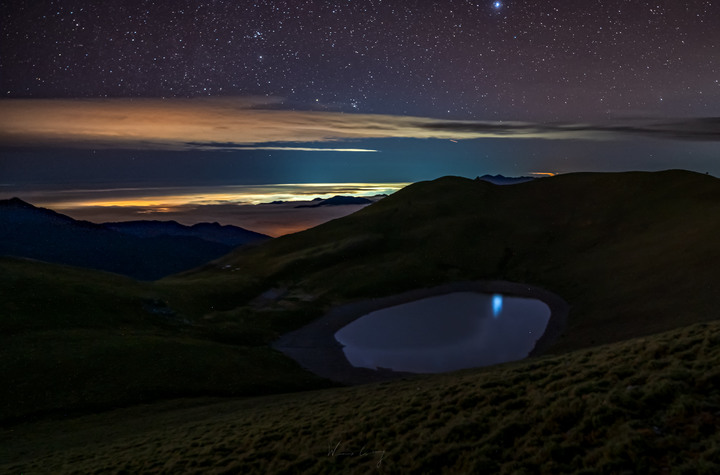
x=632 y=253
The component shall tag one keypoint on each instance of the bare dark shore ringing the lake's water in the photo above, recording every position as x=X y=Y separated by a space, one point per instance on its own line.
x=314 y=346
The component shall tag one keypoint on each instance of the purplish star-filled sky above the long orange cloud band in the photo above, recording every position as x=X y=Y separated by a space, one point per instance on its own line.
x=554 y=60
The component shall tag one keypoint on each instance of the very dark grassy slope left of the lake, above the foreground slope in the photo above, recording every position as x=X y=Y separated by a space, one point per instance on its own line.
x=76 y=340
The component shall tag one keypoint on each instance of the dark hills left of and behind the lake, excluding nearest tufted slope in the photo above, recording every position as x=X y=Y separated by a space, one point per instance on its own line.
x=632 y=253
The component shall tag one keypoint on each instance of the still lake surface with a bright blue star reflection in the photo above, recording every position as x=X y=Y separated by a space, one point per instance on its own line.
x=445 y=333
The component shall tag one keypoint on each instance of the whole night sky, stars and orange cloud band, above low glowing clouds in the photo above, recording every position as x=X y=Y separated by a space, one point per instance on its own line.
x=147 y=94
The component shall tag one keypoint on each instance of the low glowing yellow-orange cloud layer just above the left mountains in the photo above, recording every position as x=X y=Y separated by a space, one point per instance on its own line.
x=269 y=209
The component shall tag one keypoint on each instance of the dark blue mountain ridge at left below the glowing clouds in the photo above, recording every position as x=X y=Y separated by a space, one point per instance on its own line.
x=145 y=250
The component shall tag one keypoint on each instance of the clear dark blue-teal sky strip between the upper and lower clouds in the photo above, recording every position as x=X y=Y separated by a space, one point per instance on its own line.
x=397 y=160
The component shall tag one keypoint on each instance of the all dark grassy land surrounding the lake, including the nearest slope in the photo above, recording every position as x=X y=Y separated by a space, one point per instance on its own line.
x=627 y=385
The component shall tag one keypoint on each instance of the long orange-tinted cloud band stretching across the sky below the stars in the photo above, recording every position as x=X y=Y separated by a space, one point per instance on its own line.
x=249 y=123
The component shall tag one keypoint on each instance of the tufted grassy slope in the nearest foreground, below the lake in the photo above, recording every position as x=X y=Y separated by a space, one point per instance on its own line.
x=649 y=405
